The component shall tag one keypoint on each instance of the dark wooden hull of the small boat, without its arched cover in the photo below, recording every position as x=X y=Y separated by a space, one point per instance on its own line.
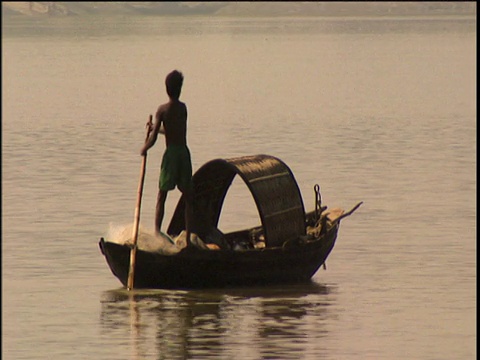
x=195 y=268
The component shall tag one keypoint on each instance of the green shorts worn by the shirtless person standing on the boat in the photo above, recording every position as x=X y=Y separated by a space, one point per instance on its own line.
x=176 y=168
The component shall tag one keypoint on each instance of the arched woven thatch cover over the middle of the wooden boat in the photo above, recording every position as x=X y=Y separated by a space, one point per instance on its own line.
x=272 y=184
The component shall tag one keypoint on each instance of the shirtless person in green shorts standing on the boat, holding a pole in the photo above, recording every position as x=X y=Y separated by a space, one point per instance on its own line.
x=176 y=168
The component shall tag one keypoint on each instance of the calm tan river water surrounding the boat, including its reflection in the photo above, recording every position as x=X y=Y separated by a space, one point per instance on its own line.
x=380 y=111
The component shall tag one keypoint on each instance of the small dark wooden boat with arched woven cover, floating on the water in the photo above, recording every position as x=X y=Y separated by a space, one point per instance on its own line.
x=288 y=247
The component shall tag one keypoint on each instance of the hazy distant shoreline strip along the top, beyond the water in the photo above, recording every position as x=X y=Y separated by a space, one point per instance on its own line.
x=257 y=9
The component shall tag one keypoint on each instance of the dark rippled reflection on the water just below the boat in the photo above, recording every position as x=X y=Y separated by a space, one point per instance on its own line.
x=266 y=322
